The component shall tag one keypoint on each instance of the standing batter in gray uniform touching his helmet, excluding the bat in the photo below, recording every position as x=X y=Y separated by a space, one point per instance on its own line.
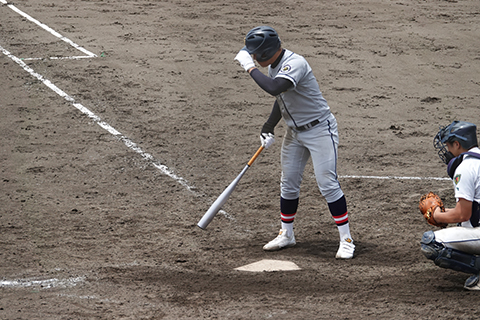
x=311 y=132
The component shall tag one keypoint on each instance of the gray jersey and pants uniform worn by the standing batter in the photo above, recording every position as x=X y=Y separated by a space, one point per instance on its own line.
x=300 y=105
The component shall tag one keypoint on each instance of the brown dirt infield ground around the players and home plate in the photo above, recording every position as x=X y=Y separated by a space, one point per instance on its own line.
x=92 y=229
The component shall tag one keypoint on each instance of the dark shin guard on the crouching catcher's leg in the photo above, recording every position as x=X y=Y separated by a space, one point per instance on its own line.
x=447 y=257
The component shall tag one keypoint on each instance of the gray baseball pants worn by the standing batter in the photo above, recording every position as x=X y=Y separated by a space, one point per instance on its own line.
x=321 y=144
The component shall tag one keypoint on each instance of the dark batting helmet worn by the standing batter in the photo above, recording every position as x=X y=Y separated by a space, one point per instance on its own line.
x=263 y=42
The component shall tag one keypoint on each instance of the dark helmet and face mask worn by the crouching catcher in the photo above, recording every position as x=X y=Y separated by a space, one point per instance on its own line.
x=463 y=132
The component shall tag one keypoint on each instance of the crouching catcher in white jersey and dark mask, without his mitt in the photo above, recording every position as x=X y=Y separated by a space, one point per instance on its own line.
x=458 y=247
